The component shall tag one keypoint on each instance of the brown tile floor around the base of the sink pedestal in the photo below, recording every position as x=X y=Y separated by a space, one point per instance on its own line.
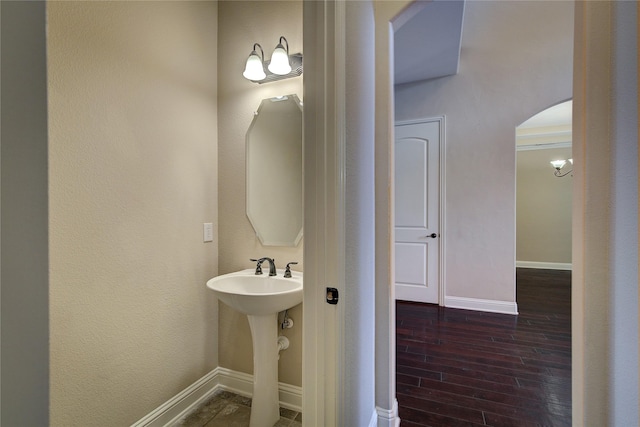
x=226 y=409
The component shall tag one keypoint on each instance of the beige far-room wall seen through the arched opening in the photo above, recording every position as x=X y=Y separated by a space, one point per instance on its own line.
x=543 y=209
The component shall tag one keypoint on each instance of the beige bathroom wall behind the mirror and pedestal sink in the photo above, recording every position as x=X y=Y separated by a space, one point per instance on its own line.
x=241 y=24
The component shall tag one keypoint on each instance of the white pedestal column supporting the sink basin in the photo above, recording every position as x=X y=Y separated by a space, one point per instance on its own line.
x=265 y=404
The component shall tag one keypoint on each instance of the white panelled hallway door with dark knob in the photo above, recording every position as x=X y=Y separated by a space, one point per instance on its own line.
x=417 y=210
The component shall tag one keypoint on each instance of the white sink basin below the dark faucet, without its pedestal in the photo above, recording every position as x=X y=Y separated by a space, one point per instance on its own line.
x=258 y=294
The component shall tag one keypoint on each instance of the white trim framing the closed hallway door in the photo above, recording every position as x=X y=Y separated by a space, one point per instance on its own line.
x=442 y=153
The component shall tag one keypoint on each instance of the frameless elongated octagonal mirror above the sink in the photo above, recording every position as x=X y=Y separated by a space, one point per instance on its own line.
x=274 y=171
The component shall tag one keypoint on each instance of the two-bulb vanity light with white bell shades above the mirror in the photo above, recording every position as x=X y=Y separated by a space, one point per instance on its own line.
x=281 y=66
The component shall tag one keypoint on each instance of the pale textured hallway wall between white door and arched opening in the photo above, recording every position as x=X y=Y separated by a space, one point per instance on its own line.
x=516 y=60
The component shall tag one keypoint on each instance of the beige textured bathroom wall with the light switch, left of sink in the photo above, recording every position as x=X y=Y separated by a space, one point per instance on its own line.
x=133 y=176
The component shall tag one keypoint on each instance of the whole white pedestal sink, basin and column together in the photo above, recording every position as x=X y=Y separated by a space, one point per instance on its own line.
x=261 y=298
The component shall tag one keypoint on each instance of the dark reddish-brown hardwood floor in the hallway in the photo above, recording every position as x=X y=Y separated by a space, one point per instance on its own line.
x=468 y=368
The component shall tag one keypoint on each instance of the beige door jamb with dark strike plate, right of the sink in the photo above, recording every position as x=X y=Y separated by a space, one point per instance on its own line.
x=323 y=362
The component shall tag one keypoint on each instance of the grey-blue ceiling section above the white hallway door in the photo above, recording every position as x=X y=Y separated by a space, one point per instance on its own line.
x=427 y=40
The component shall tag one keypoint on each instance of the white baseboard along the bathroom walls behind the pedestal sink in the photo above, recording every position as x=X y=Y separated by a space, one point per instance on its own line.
x=198 y=392
